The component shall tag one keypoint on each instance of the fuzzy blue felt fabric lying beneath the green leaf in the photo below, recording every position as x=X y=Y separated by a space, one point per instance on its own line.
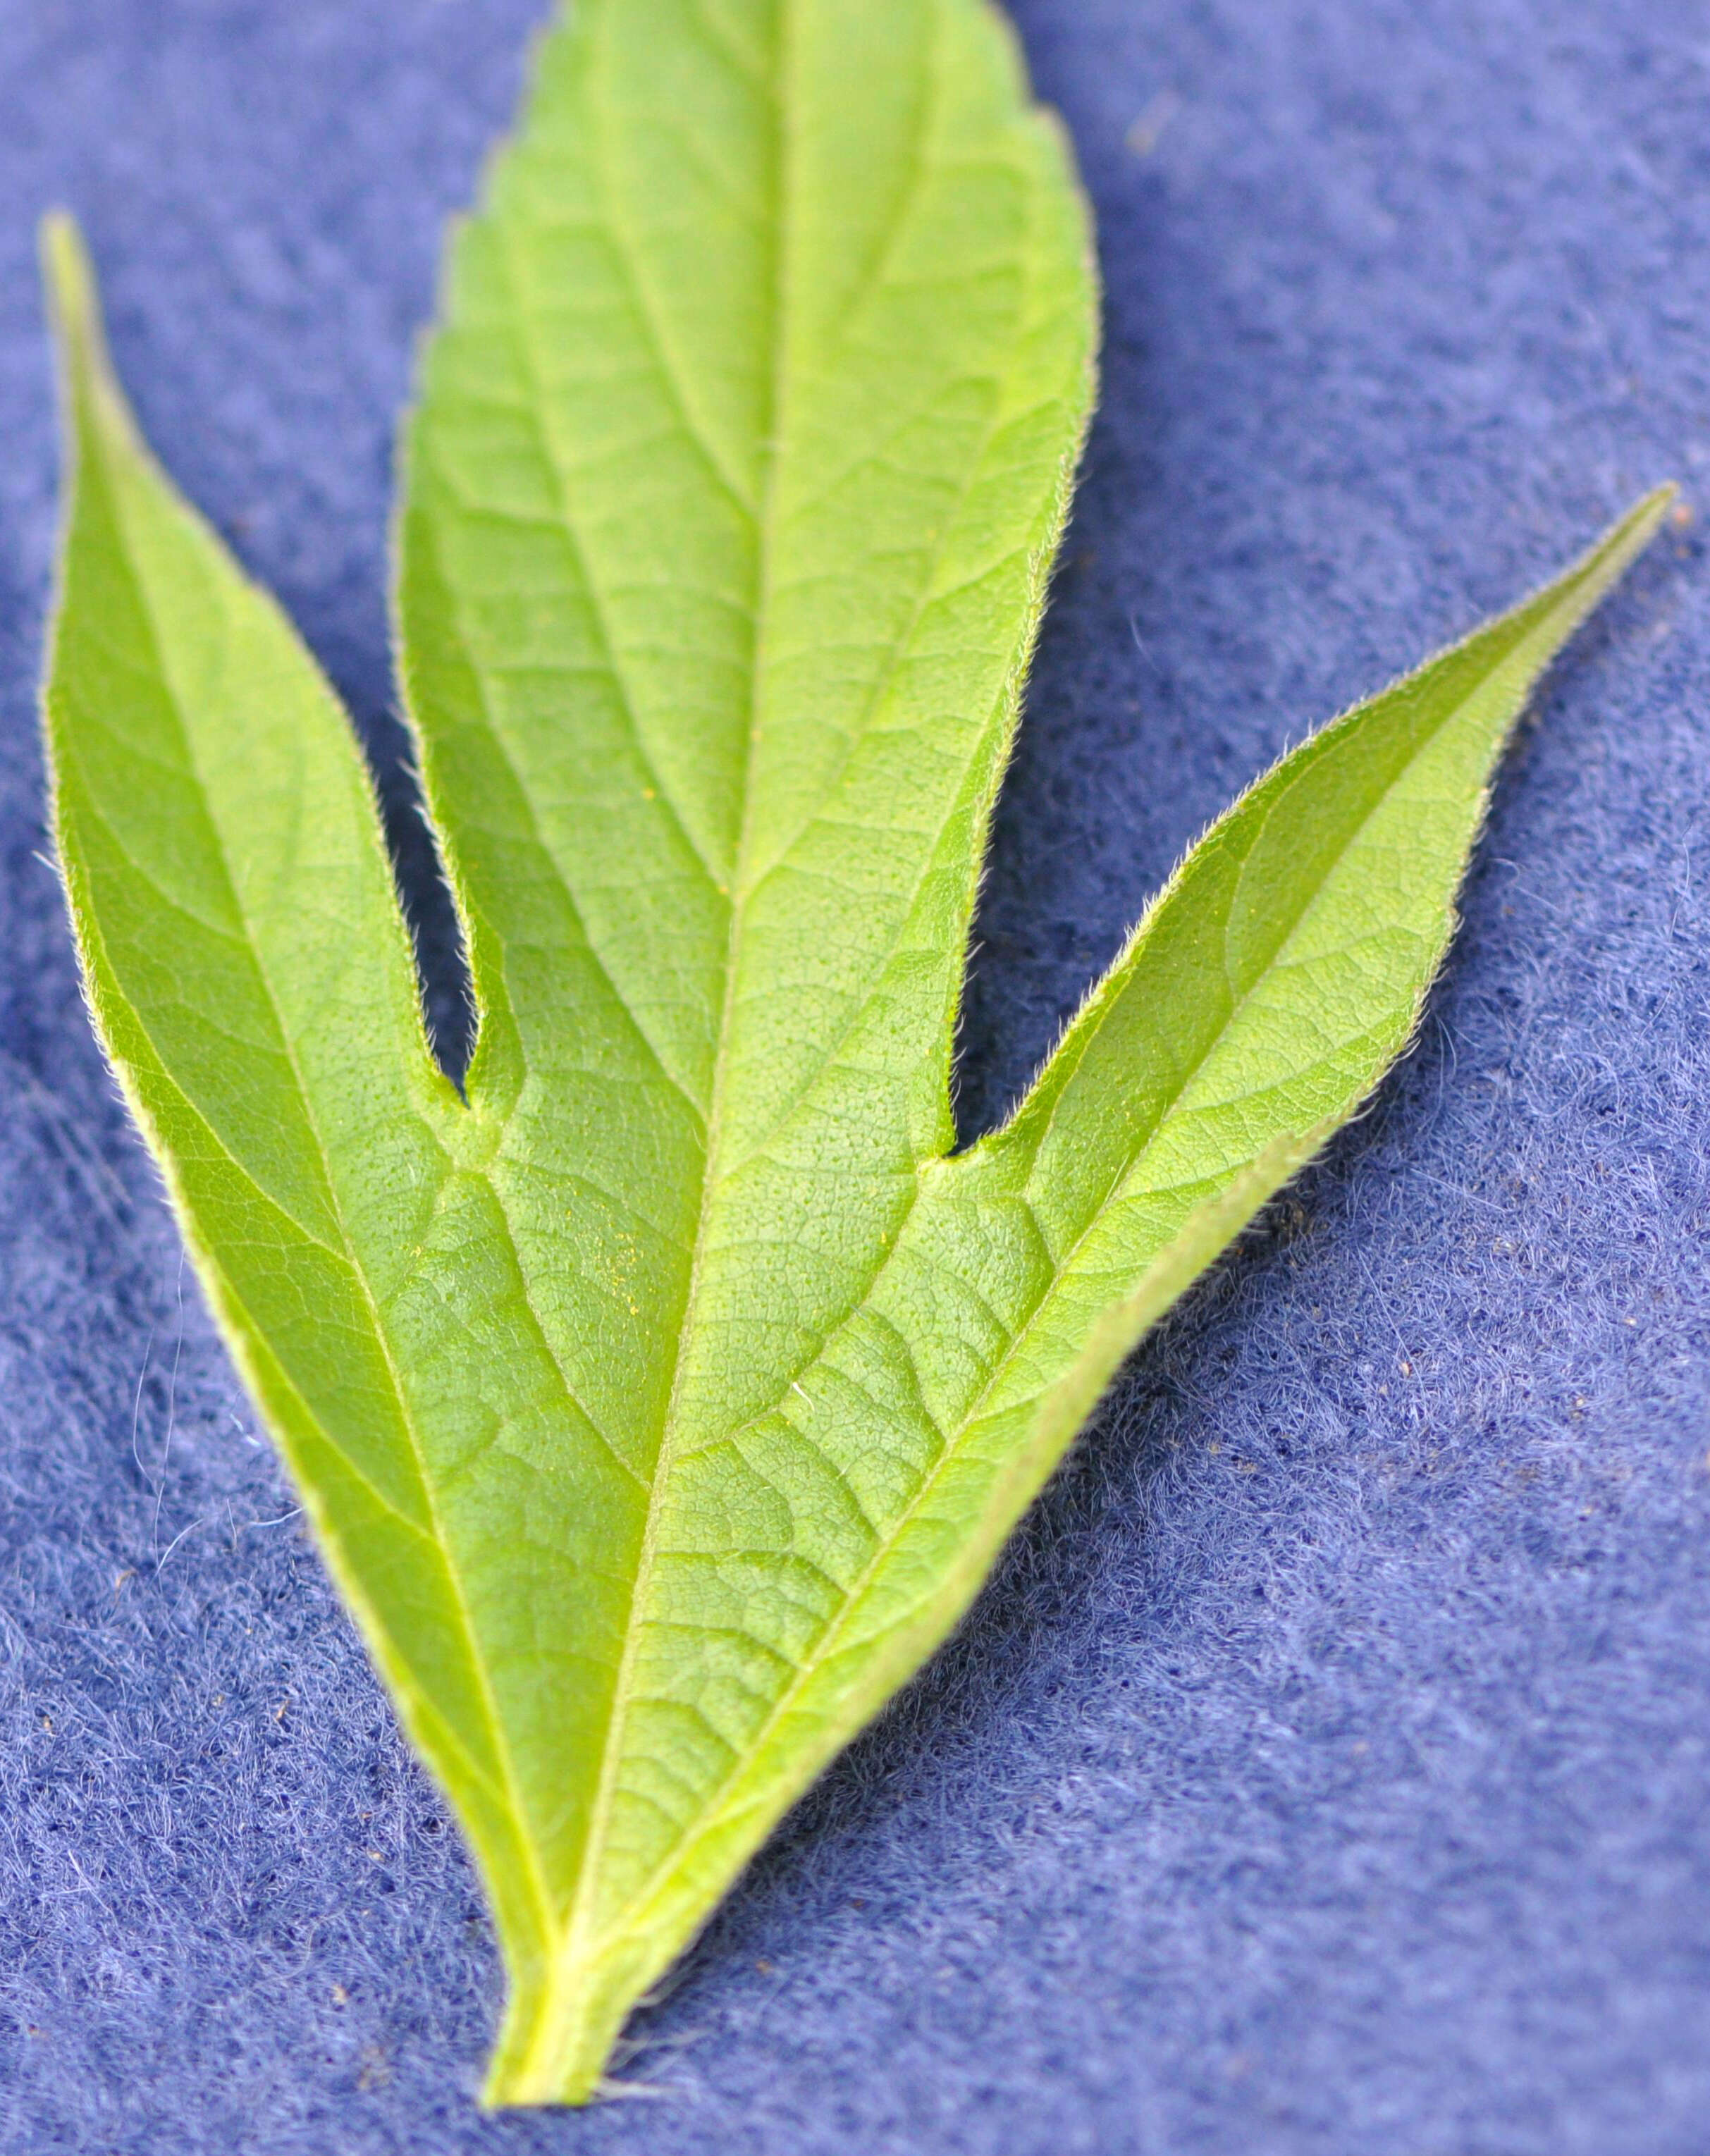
x=1325 y=1773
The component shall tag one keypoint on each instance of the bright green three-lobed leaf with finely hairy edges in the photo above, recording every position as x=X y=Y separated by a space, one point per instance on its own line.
x=663 y=1400
